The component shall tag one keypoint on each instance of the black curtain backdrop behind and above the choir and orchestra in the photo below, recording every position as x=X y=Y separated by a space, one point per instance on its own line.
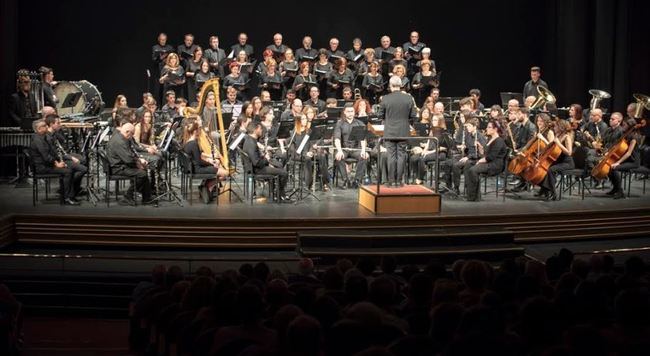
x=579 y=44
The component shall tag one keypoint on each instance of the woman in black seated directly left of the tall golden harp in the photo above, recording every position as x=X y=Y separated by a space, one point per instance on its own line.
x=203 y=162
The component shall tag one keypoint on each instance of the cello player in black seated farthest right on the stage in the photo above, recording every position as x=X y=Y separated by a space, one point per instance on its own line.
x=630 y=159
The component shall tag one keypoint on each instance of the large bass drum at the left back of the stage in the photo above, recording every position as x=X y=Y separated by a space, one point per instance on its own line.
x=90 y=99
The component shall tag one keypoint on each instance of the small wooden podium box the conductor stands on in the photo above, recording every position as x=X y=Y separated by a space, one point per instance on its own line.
x=409 y=199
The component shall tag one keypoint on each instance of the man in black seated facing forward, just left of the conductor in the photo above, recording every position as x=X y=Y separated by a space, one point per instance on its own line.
x=347 y=148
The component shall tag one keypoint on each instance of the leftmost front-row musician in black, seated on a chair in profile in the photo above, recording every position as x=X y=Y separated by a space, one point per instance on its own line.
x=47 y=160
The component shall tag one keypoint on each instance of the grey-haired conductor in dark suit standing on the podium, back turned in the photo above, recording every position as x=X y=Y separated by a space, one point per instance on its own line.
x=397 y=109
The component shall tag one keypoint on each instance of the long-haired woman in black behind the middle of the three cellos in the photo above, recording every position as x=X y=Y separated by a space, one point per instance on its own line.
x=563 y=138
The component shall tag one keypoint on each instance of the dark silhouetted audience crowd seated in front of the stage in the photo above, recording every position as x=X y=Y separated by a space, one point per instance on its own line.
x=566 y=306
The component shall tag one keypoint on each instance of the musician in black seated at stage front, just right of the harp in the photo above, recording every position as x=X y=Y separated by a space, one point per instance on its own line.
x=259 y=161
